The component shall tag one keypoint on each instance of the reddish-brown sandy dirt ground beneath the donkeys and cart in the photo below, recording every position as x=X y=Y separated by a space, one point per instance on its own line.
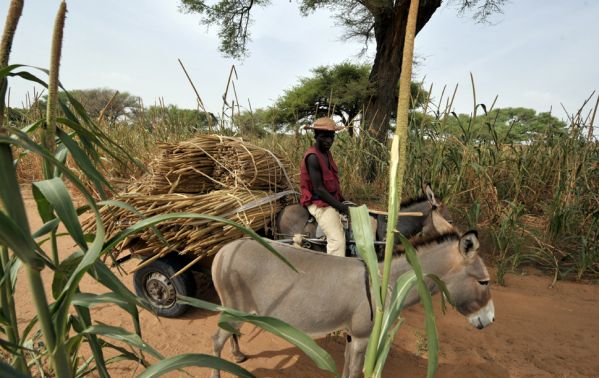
x=538 y=332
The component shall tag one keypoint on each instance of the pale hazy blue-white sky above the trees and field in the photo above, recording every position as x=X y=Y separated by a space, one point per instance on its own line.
x=537 y=54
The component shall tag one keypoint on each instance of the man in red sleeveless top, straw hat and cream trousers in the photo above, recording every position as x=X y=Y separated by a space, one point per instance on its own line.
x=320 y=188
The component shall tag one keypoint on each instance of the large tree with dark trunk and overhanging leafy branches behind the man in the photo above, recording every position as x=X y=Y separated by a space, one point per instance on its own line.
x=383 y=21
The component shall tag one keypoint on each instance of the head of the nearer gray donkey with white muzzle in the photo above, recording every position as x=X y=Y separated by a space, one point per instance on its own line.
x=467 y=281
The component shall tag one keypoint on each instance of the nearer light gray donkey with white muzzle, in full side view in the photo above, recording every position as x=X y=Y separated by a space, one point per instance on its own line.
x=330 y=293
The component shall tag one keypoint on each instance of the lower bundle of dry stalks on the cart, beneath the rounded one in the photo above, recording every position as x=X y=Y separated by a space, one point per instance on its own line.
x=252 y=209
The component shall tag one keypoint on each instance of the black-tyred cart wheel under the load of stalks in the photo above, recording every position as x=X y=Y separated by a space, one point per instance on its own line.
x=154 y=283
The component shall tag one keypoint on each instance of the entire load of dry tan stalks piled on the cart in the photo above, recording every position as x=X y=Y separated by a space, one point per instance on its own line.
x=210 y=174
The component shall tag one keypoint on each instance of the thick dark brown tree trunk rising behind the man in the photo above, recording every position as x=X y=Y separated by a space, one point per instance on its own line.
x=389 y=31
